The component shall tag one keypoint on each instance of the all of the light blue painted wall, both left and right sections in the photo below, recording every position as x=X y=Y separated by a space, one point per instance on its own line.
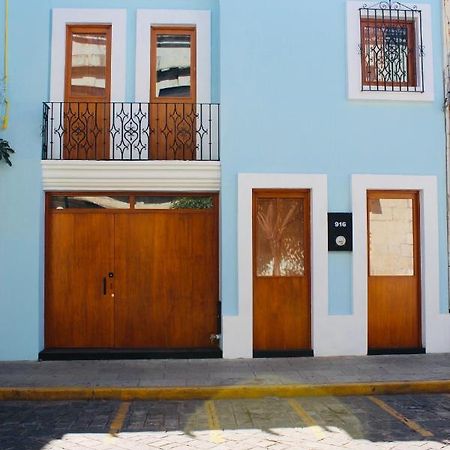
x=299 y=122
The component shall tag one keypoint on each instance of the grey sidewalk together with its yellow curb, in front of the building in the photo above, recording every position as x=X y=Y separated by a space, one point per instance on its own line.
x=144 y=379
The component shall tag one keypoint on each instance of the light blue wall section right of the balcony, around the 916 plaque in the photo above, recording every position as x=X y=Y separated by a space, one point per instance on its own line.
x=284 y=108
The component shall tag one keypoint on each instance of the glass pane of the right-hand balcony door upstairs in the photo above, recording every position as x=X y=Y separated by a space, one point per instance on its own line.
x=173 y=65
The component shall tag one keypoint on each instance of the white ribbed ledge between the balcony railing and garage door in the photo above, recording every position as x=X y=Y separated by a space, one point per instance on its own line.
x=181 y=176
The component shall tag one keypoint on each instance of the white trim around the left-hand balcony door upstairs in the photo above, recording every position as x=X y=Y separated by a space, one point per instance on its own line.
x=62 y=17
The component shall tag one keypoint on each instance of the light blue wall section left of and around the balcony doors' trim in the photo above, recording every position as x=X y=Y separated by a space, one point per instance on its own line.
x=21 y=198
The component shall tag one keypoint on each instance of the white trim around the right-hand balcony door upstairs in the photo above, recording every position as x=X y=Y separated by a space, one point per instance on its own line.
x=201 y=20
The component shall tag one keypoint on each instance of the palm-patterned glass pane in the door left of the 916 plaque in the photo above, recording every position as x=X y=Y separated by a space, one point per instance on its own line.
x=280 y=246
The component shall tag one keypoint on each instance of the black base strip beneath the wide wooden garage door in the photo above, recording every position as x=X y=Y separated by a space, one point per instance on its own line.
x=65 y=354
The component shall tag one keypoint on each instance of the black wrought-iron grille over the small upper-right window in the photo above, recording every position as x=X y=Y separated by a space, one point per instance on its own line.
x=391 y=47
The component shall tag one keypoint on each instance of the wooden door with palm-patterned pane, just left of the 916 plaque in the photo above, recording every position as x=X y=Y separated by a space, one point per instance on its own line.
x=281 y=271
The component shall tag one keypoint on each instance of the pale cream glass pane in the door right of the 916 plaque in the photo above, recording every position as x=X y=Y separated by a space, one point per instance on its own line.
x=391 y=236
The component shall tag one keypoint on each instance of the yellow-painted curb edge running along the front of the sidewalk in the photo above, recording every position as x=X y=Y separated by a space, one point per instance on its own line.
x=223 y=392
